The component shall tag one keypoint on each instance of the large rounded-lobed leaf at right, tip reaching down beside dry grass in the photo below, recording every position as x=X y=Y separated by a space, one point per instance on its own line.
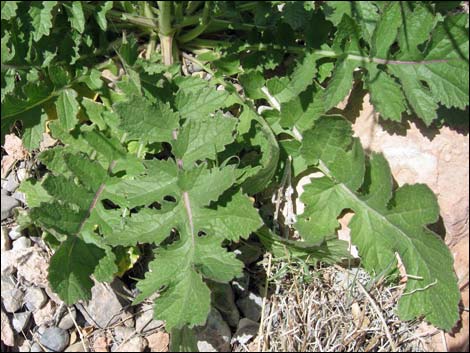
x=385 y=222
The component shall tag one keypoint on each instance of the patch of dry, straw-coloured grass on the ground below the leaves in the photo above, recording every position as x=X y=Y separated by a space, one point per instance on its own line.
x=332 y=309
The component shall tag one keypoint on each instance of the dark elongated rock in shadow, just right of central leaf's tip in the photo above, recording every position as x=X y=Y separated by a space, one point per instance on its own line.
x=224 y=301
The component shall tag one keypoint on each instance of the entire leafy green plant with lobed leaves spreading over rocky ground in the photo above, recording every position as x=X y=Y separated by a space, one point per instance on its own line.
x=154 y=156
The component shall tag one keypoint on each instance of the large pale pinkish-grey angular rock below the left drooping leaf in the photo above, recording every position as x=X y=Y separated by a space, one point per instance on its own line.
x=105 y=305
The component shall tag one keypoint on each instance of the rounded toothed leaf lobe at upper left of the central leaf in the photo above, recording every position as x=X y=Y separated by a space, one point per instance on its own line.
x=146 y=121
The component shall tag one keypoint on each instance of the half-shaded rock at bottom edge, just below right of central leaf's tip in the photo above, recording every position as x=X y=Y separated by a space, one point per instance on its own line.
x=215 y=335
